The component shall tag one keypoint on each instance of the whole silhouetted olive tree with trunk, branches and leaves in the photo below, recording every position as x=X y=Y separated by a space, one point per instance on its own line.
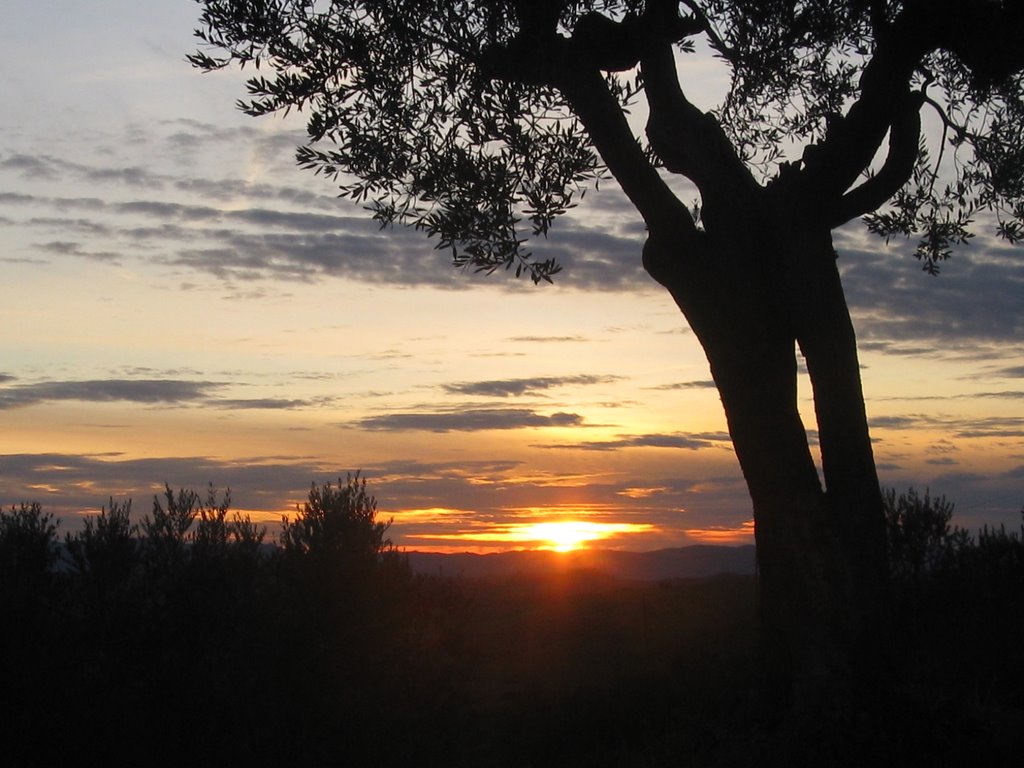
x=480 y=122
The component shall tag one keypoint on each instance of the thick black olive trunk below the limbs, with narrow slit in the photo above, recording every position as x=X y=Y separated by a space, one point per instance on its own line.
x=821 y=567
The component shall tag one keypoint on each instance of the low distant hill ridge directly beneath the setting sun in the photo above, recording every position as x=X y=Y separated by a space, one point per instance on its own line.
x=681 y=563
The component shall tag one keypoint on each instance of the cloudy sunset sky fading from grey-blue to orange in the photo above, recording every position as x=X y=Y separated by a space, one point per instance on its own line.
x=182 y=305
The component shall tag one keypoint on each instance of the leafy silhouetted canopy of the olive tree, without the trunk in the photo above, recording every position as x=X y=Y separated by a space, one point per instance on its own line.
x=459 y=118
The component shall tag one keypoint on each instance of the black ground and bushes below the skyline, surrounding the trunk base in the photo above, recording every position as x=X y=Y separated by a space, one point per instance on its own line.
x=185 y=638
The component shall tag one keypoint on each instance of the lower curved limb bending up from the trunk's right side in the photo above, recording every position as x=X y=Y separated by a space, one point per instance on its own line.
x=897 y=172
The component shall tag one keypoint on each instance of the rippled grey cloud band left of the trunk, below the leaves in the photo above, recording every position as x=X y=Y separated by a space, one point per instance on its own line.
x=252 y=241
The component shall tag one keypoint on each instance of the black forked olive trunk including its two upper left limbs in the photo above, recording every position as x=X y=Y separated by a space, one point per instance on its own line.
x=760 y=280
